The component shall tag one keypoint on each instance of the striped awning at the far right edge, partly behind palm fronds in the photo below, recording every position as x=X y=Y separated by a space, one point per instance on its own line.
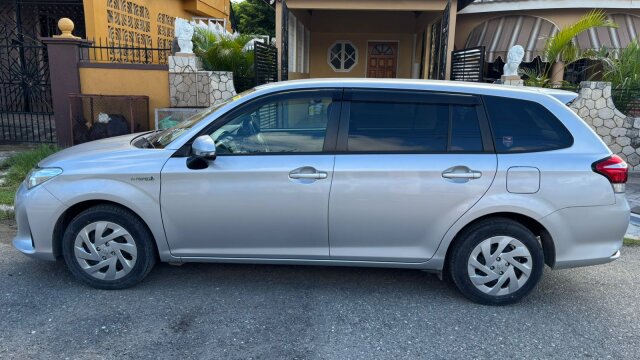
x=611 y=39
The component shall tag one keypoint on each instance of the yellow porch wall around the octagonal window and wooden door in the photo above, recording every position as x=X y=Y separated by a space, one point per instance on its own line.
x=321 y=42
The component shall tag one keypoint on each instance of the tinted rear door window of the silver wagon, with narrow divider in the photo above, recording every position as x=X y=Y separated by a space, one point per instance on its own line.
x=413 y=127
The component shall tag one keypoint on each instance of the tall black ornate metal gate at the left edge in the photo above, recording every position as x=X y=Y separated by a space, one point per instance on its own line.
x=26 y=113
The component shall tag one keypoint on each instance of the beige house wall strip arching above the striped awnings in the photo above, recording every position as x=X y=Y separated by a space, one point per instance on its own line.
x=560 y=17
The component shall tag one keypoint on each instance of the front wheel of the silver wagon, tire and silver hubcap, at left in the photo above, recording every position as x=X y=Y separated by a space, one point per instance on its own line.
x=108 y=247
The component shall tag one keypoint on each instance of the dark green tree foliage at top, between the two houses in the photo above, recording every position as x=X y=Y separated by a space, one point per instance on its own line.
x=255 y=17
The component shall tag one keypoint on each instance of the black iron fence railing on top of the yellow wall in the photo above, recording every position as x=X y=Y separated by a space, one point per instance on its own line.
x=106 y=51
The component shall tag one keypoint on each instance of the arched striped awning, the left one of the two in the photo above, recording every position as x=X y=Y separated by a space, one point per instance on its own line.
x=500 y=34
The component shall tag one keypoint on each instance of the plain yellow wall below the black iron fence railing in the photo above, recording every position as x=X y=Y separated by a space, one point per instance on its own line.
x=152 y=83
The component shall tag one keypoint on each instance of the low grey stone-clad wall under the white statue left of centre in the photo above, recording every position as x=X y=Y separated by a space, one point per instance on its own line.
x=191 y=87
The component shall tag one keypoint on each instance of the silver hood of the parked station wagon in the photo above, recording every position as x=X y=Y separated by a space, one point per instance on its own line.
x=97 y=153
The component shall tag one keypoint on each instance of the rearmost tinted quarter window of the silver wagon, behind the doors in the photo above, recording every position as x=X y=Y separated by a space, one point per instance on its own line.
x=525 y=126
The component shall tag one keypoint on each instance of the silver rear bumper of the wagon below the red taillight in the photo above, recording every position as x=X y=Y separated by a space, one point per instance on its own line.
x=585 y=236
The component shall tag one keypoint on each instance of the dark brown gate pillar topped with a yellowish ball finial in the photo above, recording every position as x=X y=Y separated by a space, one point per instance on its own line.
x=64 y=55
